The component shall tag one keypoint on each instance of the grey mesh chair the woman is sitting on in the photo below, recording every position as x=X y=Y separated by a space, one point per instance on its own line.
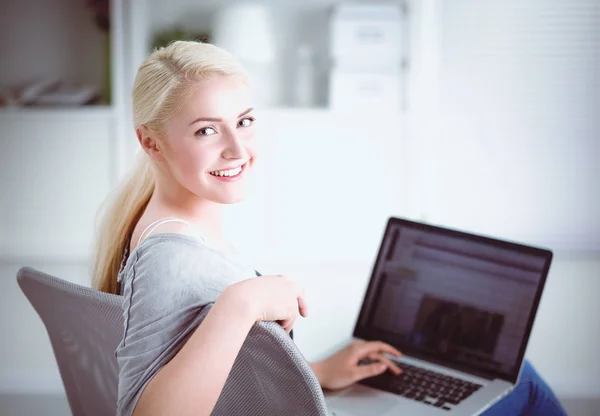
x=269 y=377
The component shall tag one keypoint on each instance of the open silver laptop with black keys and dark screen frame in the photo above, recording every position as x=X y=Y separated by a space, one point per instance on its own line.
x=460 y=308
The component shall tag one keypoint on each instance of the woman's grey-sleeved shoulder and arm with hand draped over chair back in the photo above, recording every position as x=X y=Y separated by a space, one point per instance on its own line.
x=173 y=359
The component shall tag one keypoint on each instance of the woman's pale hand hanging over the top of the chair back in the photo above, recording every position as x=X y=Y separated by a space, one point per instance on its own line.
x=270 y=298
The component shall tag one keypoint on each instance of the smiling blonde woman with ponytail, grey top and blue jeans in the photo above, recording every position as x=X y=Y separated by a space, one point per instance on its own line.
x=161 y=245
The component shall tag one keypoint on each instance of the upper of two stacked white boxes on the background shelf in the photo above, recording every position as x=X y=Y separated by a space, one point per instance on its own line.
x=366 y=36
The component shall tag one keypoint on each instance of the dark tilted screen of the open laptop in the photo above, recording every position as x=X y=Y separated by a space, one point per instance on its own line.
x=453 y=298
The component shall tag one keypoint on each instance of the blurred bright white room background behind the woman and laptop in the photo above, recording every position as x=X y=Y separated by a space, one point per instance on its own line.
x=477 y=115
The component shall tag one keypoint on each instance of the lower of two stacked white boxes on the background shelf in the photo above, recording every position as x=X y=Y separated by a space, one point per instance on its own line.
x=365 y=91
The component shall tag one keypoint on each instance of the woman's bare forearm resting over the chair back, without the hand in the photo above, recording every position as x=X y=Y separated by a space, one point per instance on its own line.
x=192 y=381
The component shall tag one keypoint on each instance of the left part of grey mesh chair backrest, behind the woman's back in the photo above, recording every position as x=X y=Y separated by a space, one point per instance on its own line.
x=85 y=327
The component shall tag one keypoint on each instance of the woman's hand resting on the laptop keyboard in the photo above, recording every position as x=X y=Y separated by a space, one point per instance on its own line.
x=343 y=369
